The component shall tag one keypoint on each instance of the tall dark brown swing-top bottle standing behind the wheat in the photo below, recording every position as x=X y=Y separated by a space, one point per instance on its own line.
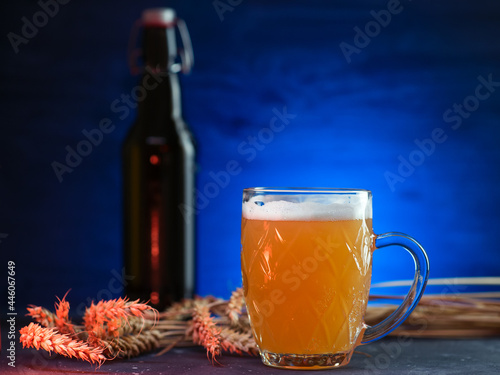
x=158 y=175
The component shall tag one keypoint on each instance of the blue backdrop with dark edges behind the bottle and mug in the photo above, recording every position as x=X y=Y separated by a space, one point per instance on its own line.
x=354 y=123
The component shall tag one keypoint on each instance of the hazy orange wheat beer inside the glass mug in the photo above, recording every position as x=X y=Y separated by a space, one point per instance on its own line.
x=306 y=278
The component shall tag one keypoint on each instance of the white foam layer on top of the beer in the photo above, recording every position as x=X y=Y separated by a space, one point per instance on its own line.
x=333 y=208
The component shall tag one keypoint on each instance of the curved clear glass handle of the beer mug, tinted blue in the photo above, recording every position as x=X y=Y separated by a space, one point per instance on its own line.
x=373 y=333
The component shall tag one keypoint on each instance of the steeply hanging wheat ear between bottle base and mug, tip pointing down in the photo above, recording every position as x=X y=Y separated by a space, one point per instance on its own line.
x=204 y=330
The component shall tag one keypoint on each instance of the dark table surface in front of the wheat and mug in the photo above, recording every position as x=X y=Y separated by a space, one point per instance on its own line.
x=391 y=355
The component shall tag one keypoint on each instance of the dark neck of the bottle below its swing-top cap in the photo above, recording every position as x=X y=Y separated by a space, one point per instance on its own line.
x=160 y=100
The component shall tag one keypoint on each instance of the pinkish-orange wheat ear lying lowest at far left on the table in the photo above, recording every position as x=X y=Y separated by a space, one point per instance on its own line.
x=35 y=336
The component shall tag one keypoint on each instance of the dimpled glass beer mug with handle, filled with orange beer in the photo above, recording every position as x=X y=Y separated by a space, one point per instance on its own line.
x=306 y=262
